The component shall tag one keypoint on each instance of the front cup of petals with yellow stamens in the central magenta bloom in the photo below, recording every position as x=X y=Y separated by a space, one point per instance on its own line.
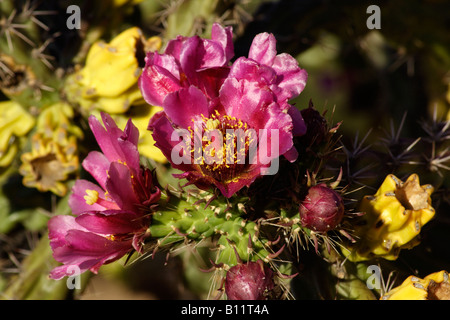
x=260 y=116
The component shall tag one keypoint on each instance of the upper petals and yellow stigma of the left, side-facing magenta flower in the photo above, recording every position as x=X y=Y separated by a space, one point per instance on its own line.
x=122 y=182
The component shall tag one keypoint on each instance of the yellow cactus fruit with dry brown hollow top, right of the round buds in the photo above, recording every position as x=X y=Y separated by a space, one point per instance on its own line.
x=393 y=219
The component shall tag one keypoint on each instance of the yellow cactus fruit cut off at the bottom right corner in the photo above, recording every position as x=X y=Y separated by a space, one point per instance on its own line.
x=435 y=286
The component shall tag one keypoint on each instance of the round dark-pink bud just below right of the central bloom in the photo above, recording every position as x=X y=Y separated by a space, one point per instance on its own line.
x=322 y=209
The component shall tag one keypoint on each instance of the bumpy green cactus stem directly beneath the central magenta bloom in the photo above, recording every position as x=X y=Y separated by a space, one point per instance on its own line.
x=196 y=216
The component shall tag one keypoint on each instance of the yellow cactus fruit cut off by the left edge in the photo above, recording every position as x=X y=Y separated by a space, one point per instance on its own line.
x=14 y=122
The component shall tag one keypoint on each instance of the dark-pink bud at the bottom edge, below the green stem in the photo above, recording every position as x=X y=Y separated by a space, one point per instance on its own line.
x=248 y=281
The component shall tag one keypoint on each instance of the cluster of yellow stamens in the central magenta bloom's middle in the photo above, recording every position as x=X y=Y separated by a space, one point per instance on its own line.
x=223 y=146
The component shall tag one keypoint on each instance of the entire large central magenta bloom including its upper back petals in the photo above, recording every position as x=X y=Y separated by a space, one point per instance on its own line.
x=234 y=121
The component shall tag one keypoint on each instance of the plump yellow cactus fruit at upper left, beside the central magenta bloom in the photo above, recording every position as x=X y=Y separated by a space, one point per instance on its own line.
x=108 y=81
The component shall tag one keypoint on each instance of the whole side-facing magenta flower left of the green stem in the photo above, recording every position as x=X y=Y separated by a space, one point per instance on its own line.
x=112 y=217
